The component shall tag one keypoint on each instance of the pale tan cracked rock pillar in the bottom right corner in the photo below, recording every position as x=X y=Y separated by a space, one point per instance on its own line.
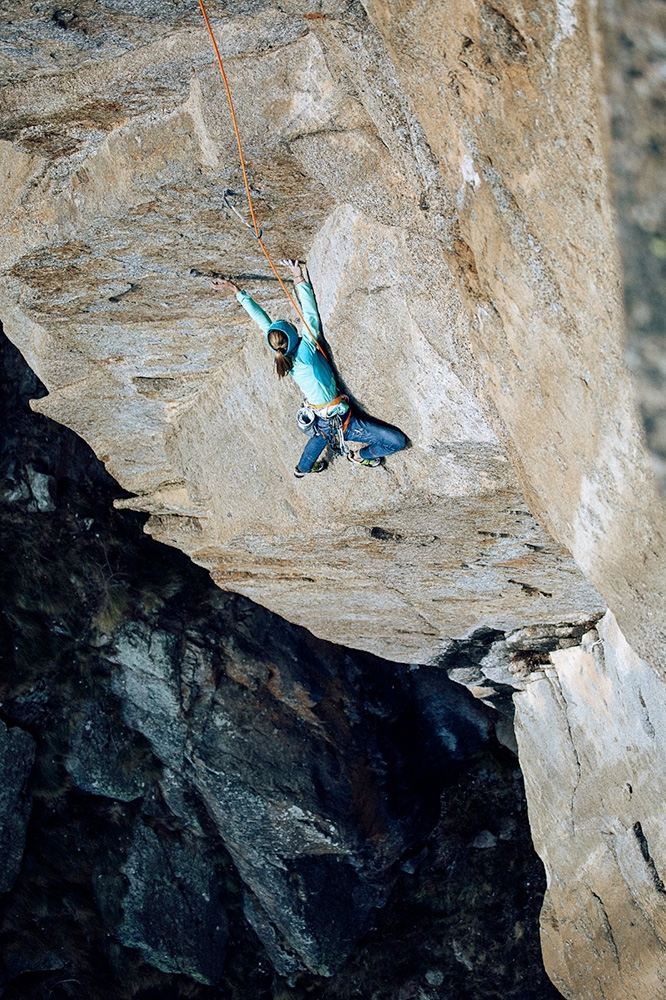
x=590 y=733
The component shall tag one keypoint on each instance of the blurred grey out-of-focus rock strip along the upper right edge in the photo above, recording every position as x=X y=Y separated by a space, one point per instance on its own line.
x=635 y=42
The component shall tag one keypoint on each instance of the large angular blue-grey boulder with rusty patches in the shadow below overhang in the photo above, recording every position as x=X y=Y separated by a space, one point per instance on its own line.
x=283 y=740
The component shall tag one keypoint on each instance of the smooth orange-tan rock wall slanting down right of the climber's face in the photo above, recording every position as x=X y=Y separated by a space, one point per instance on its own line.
x=517 y=126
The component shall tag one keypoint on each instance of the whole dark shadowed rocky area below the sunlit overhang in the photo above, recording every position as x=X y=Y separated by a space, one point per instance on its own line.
x=221 y=805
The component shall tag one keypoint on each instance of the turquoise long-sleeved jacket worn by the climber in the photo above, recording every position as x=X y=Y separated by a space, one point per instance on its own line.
x=311 y=372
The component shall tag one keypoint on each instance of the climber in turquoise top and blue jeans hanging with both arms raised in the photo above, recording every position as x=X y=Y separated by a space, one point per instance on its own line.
x=300 y=356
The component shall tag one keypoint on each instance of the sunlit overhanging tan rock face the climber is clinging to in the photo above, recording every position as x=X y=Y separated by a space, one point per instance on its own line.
x=175 y=390
